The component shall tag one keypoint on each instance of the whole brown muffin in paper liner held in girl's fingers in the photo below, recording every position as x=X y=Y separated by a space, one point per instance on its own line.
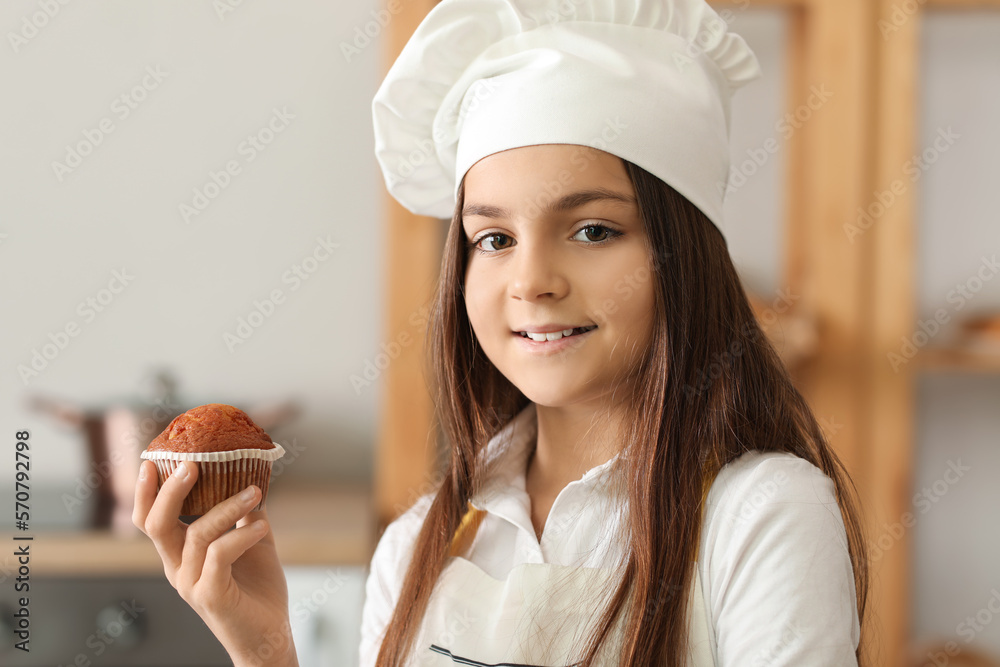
x=231 y=452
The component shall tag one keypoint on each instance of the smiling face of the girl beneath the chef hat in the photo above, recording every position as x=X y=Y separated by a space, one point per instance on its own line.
x=558 y=244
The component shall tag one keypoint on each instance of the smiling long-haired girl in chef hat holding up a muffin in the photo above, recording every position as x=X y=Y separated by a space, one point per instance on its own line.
x=632 y=478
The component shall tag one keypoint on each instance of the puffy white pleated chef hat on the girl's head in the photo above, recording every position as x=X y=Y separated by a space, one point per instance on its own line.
x=647 y=80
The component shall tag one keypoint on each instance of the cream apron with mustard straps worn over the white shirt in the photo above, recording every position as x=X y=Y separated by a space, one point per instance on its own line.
x=541 y=615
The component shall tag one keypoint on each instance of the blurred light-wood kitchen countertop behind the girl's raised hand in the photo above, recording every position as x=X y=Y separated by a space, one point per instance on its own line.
x=315 y=525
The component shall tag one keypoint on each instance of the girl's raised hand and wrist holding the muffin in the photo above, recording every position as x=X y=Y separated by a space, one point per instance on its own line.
x=231 y=578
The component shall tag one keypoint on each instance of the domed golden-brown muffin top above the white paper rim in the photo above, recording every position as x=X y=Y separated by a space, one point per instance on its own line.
x=211 y=428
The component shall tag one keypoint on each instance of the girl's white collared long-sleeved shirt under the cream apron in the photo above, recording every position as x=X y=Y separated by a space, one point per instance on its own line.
x=775 y=570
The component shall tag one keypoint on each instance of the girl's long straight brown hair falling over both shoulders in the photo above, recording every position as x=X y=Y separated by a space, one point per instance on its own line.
x=688 y=423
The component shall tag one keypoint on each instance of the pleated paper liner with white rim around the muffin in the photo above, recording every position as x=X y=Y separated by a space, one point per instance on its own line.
x=219 y=479
